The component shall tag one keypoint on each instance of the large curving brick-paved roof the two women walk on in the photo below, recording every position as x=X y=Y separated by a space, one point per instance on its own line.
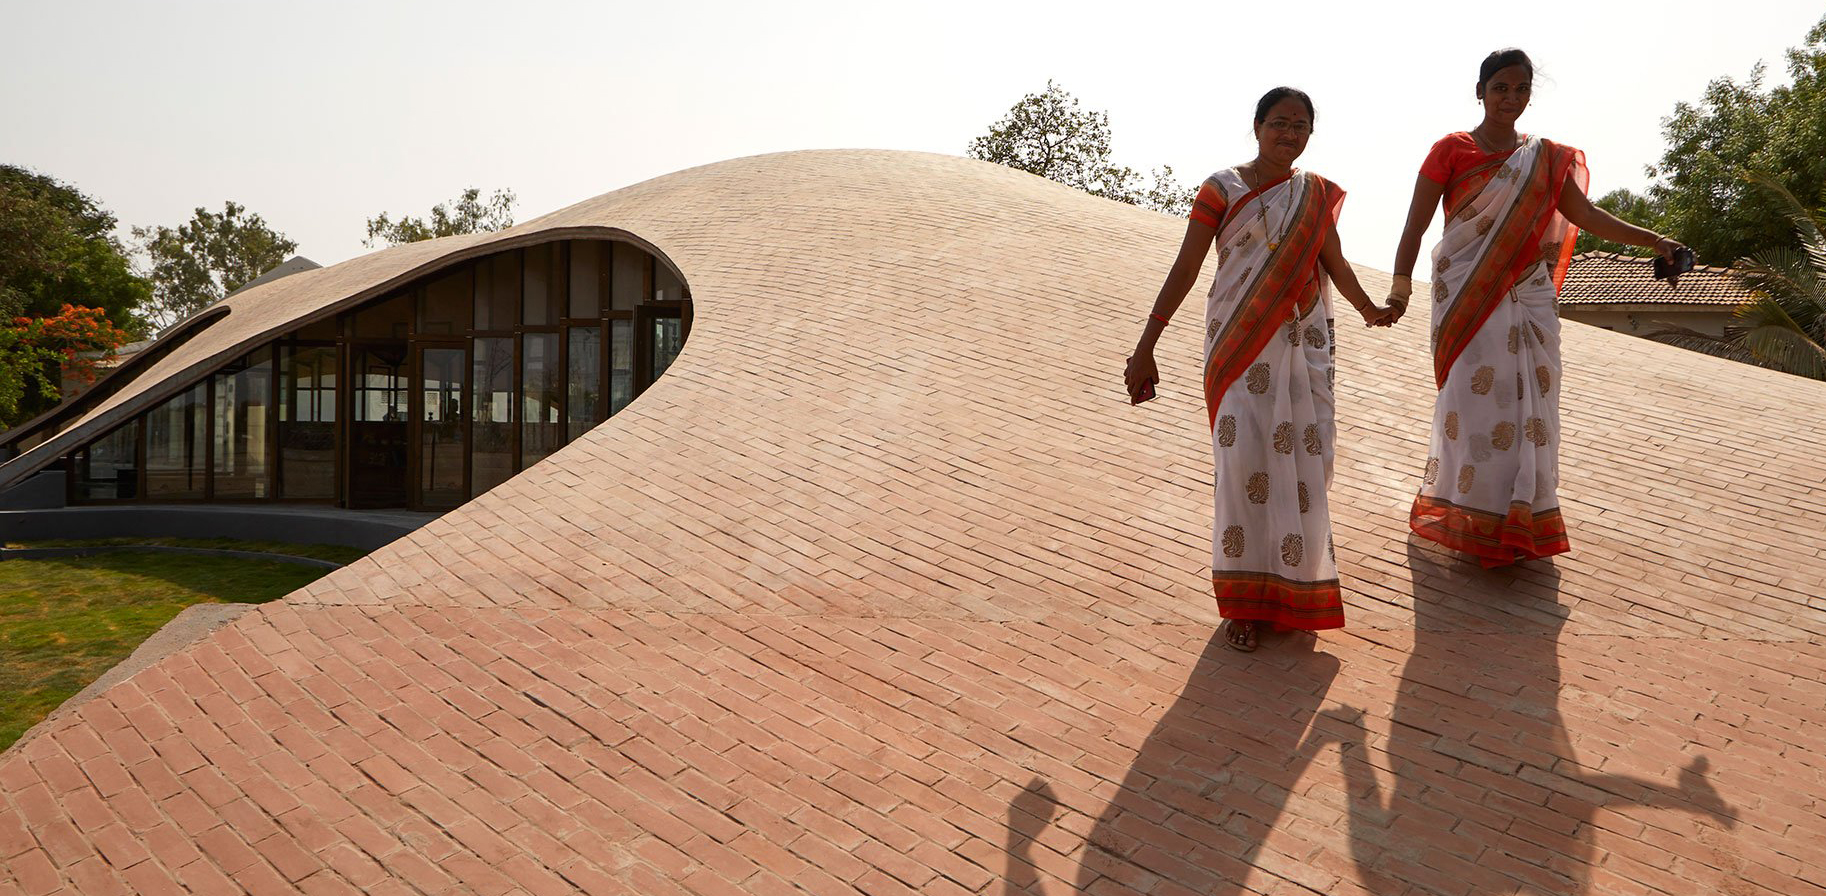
x=903 y=598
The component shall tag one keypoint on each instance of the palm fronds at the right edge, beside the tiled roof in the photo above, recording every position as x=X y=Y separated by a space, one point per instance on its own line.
x=1785 y=326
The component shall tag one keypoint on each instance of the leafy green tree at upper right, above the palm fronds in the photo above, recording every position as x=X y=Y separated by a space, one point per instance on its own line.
x=1701 y=196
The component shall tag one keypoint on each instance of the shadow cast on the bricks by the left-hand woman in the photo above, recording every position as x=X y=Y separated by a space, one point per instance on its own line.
x=1208 y=786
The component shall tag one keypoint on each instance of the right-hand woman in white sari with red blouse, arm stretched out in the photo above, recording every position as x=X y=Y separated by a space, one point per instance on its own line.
x=1515 y=205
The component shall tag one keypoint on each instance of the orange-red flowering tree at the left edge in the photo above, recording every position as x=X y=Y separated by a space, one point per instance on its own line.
x=39 y=355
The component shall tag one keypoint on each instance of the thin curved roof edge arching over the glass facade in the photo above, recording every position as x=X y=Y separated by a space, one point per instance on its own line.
x=100 y=421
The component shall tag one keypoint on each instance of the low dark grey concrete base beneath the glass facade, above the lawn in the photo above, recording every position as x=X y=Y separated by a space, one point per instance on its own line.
x=295 y=525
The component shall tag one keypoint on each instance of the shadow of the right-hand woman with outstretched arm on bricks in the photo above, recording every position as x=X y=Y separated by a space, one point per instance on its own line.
x=1489 y=795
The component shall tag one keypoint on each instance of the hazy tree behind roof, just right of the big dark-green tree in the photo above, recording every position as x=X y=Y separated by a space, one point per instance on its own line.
x=202 y=262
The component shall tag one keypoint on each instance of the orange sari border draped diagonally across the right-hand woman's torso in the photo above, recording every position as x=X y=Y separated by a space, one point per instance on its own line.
x=1513 y=251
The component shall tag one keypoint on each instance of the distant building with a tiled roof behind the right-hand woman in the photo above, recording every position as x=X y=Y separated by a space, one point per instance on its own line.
x=1621 y=293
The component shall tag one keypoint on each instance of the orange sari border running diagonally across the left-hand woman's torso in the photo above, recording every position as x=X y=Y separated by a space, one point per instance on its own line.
x=1286 y=282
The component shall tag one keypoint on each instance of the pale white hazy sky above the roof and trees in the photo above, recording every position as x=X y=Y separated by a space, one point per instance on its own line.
x=324 y=114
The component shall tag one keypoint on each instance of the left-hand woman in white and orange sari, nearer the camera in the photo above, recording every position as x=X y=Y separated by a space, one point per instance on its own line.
x=1268 y=373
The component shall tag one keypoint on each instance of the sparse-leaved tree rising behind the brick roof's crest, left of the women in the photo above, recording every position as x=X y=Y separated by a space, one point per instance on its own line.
x=1049 y=136
